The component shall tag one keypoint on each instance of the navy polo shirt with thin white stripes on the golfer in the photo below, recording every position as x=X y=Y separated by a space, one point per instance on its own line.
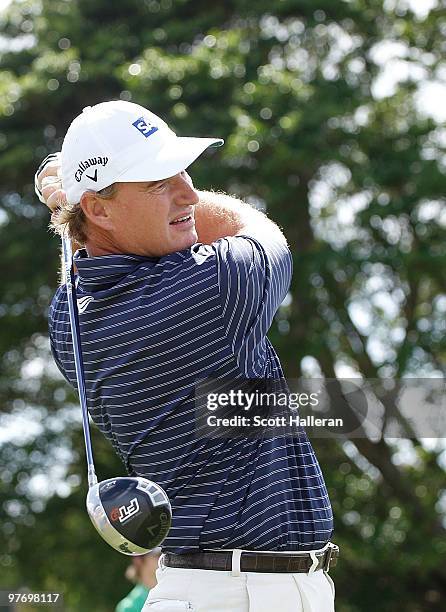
x=154 y=327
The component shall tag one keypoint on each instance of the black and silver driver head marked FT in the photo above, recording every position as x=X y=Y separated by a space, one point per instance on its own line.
x=133 y=515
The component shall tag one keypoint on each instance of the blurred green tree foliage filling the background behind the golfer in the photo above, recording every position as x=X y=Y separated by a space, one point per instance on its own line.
x=357 y=182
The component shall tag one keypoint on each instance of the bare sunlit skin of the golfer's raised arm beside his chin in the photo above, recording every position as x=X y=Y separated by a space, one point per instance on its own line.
x=219 y=215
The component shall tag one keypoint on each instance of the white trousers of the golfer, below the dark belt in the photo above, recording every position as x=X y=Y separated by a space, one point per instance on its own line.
x=192 y=590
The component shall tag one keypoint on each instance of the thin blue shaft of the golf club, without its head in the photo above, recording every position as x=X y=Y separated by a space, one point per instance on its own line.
x=75 y=334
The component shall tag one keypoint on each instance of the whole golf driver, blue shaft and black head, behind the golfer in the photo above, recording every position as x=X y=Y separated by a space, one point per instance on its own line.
x=132 y=514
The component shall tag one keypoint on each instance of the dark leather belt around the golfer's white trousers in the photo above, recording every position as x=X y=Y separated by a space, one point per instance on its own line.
x=252 y=561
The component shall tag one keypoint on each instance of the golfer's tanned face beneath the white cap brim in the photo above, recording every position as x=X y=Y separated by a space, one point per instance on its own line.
x=143 y=216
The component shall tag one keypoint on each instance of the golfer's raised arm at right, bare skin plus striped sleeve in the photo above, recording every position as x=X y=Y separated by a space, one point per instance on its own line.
x=252 y=273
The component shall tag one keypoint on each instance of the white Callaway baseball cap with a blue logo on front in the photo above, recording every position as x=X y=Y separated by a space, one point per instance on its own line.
x=120 y=141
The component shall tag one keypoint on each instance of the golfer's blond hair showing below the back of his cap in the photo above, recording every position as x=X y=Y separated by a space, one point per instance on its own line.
x=71 y=217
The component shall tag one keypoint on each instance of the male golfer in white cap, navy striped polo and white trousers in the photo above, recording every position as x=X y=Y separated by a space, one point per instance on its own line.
x=176 y=285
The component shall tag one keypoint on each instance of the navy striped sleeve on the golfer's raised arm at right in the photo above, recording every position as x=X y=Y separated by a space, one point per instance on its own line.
x=253 y=279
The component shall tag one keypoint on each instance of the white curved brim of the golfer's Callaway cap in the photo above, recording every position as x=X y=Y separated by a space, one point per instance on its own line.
x=174 y=157
